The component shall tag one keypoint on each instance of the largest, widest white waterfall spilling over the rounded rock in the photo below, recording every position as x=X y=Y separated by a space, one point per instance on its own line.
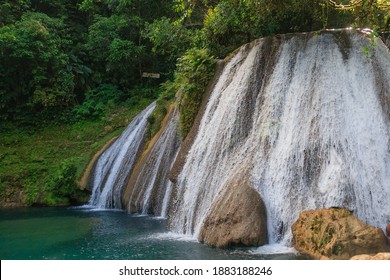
x=307 y=117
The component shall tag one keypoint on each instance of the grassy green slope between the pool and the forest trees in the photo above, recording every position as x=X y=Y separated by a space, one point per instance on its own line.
x=29 y=159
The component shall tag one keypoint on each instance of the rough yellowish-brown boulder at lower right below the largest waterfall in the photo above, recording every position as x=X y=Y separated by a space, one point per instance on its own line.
x=336 y=234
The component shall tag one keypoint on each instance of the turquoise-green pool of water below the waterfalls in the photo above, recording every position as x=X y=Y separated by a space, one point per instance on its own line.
x=83 y=234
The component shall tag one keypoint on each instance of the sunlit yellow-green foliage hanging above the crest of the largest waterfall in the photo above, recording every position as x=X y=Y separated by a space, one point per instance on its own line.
x=229 y=24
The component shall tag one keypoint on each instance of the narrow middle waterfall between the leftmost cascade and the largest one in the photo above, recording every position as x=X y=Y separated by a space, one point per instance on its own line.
x=150 y=188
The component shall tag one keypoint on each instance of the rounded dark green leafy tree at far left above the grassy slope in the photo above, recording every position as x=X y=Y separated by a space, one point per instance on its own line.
x=34 y=73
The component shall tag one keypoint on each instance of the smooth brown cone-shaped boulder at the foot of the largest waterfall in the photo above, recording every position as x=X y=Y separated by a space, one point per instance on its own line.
x=238 y=217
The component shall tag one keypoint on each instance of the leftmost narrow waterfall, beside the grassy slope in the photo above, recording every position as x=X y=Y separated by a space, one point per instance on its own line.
x=114 y=165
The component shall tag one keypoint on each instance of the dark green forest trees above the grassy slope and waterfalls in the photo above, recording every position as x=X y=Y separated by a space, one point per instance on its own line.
x=59 y=56
